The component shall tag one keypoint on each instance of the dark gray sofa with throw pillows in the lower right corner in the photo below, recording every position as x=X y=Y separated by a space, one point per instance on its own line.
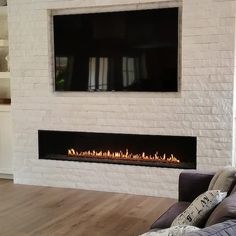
x=220 y=222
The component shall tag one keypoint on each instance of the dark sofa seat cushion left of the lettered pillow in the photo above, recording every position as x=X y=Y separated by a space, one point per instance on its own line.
x=165 y=220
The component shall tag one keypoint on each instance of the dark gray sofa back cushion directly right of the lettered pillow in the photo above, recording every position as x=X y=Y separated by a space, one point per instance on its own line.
x=226 y=210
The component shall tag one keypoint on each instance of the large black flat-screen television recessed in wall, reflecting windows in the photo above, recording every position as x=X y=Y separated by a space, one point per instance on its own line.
x=117 y=51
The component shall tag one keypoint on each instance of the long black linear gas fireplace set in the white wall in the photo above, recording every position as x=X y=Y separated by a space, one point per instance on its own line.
x=128 y=149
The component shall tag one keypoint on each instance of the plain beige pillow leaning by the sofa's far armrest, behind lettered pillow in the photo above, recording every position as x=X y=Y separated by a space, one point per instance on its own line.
x=223 y=179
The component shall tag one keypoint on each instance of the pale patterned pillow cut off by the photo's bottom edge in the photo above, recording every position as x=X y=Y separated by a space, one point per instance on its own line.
x=179 y=230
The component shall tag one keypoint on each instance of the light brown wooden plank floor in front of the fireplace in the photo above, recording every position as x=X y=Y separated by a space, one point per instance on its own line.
x=39 y=211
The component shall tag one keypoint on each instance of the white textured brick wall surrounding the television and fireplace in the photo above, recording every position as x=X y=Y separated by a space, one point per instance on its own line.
x=203 y=107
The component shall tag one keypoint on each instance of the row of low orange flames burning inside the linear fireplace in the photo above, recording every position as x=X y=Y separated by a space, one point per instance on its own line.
x=123 y=156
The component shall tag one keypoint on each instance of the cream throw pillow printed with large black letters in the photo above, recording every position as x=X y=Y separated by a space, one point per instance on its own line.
x=199 y=208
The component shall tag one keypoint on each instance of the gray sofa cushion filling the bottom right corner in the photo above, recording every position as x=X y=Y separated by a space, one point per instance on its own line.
x=226 y=228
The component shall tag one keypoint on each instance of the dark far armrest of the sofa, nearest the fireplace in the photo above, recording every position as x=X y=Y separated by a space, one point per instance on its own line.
x=192 y=184
